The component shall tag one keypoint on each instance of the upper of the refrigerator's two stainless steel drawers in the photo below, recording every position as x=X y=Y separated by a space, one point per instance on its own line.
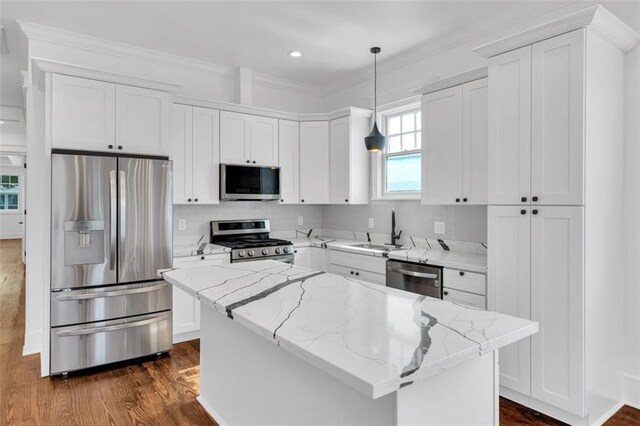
x=105 y=303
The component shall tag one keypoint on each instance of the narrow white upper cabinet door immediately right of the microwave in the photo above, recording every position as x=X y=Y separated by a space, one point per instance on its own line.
x=289 y=157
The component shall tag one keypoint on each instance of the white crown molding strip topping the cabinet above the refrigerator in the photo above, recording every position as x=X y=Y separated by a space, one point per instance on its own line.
x=41 y=66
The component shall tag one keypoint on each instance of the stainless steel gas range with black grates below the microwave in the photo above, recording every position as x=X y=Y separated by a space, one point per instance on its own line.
x=249 y=240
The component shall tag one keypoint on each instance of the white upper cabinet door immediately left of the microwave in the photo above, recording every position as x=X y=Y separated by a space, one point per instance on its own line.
x=206 y=156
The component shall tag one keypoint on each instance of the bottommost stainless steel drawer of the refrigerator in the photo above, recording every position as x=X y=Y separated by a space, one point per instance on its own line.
x=89 y=345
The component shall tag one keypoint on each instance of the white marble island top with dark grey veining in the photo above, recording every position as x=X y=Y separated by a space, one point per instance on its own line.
x=374 y=338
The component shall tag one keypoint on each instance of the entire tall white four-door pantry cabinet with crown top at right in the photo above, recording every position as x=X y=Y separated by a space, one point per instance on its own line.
x=555 y=156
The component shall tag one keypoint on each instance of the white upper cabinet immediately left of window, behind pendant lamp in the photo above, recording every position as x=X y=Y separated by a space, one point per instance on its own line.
x=348 y=160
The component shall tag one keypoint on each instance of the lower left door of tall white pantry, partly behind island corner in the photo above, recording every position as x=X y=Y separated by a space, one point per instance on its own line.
x=509 y=286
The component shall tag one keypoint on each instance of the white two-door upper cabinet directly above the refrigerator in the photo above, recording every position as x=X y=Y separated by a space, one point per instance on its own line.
x=97 y=116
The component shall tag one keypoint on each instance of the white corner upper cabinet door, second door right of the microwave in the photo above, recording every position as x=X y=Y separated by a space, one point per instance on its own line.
x=314 y=162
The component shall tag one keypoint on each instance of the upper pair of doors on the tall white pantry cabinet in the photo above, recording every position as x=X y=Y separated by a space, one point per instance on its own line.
x=536 y=136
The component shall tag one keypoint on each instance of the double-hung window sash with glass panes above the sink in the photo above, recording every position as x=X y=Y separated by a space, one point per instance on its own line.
x=401 y=160
